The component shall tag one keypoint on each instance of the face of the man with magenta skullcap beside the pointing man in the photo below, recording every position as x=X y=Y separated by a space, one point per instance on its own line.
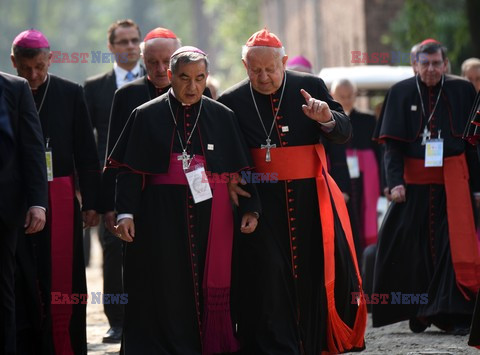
x=189 y=81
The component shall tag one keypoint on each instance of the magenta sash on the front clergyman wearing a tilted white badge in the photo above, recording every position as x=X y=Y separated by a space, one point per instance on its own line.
x=217 y=331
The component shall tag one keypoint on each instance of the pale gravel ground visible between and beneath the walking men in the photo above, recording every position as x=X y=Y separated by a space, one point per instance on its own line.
x=392 y=340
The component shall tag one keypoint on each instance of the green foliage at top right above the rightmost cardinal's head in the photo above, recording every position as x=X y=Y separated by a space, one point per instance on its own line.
x=443 y=20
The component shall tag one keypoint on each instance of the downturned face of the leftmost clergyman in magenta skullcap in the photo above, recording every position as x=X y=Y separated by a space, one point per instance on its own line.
x=33 y=69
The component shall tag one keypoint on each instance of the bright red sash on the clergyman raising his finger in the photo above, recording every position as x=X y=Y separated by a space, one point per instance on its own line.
x=309 y=161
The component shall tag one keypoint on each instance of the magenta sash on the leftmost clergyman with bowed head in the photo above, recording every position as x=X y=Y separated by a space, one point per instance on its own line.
x=61 y=194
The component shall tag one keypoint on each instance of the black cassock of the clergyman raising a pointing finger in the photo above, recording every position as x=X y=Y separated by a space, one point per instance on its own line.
x=278 y=313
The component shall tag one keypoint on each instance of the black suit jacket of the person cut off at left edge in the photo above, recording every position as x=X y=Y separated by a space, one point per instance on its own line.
x=23 y=182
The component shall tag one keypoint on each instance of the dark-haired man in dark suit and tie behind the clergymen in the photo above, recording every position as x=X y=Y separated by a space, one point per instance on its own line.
x=124 y=44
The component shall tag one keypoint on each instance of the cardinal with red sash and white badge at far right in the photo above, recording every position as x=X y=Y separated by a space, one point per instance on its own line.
x=427 y=248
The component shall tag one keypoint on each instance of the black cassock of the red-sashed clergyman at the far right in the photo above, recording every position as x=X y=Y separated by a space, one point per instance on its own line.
x=414 y=254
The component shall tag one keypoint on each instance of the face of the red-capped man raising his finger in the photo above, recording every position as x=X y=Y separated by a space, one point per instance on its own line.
x=265 y=69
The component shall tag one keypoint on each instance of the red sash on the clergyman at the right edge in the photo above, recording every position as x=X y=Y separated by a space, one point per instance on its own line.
x=461 y=226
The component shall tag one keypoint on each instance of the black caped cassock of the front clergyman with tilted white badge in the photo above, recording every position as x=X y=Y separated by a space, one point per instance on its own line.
x=163 y=269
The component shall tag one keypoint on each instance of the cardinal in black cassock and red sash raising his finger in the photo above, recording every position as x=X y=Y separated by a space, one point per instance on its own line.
x=300 y=288
